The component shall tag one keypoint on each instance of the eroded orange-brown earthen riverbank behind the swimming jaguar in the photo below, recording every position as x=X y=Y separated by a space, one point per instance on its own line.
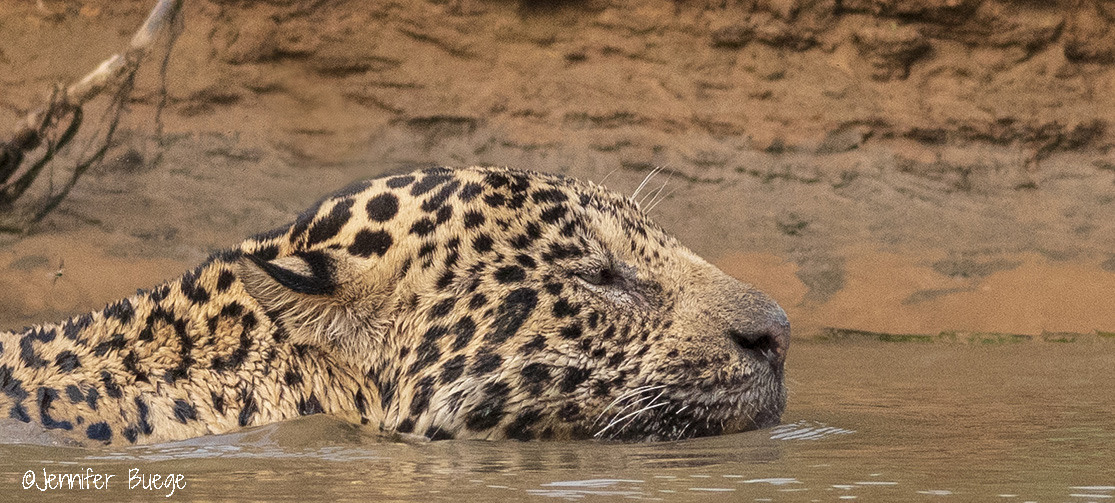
x=891 y=166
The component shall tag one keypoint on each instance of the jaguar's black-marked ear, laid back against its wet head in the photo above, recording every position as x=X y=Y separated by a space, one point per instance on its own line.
x=325 y=298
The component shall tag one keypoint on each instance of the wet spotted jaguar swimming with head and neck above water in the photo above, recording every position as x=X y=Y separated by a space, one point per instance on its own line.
x=480 y=303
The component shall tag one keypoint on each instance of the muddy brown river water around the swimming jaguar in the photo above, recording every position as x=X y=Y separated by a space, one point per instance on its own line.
x=867 y=421
